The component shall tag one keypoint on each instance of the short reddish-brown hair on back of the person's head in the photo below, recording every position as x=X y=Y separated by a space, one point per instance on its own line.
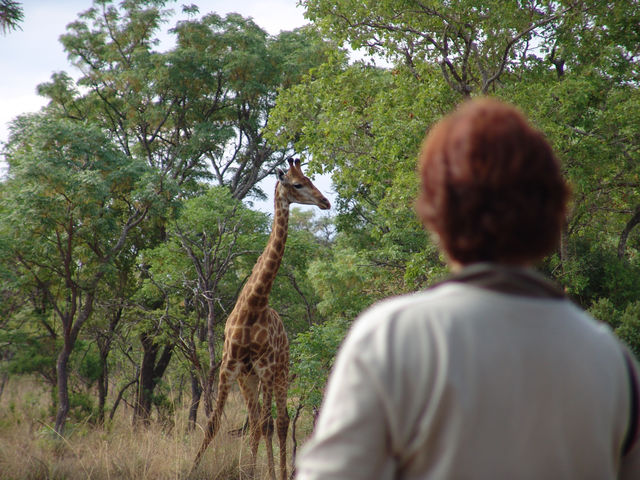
x=492 y=189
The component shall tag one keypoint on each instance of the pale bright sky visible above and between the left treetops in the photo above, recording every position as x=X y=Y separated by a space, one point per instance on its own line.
x=30 y=55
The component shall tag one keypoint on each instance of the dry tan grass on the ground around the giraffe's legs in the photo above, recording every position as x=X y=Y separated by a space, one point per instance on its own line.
x=30 y=450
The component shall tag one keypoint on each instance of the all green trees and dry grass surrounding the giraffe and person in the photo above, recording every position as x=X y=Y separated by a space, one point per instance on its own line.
x=127 y=218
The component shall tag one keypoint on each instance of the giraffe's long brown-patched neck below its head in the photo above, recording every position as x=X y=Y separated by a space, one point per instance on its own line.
x=258 y=287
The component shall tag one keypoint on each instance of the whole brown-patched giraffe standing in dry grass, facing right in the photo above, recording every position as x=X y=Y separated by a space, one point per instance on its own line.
x=256 y=348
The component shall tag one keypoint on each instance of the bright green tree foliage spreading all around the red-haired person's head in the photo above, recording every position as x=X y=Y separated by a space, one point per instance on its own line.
x=572 y=66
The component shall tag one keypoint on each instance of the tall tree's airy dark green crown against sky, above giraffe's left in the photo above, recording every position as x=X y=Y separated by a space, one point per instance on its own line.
x=195 y=111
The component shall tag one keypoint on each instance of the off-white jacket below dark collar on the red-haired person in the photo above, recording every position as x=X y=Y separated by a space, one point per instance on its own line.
x=462 y=382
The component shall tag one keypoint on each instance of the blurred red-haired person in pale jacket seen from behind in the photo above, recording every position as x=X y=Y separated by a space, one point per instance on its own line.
x=493 y=373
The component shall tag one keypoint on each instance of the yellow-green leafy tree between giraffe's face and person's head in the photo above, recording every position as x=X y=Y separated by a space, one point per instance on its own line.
x=365 y=124
